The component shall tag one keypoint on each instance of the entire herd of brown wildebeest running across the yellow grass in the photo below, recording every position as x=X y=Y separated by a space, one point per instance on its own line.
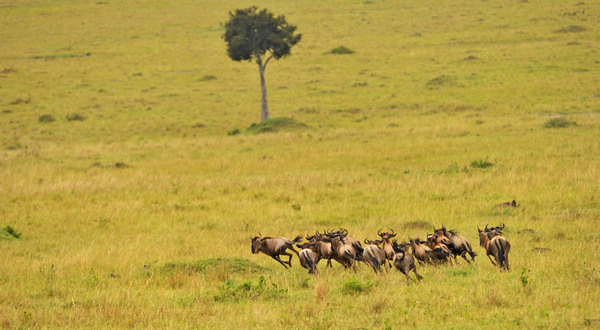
x=442 y=246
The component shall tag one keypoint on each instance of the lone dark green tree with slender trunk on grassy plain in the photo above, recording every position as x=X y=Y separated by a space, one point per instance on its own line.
x=257 y=34
